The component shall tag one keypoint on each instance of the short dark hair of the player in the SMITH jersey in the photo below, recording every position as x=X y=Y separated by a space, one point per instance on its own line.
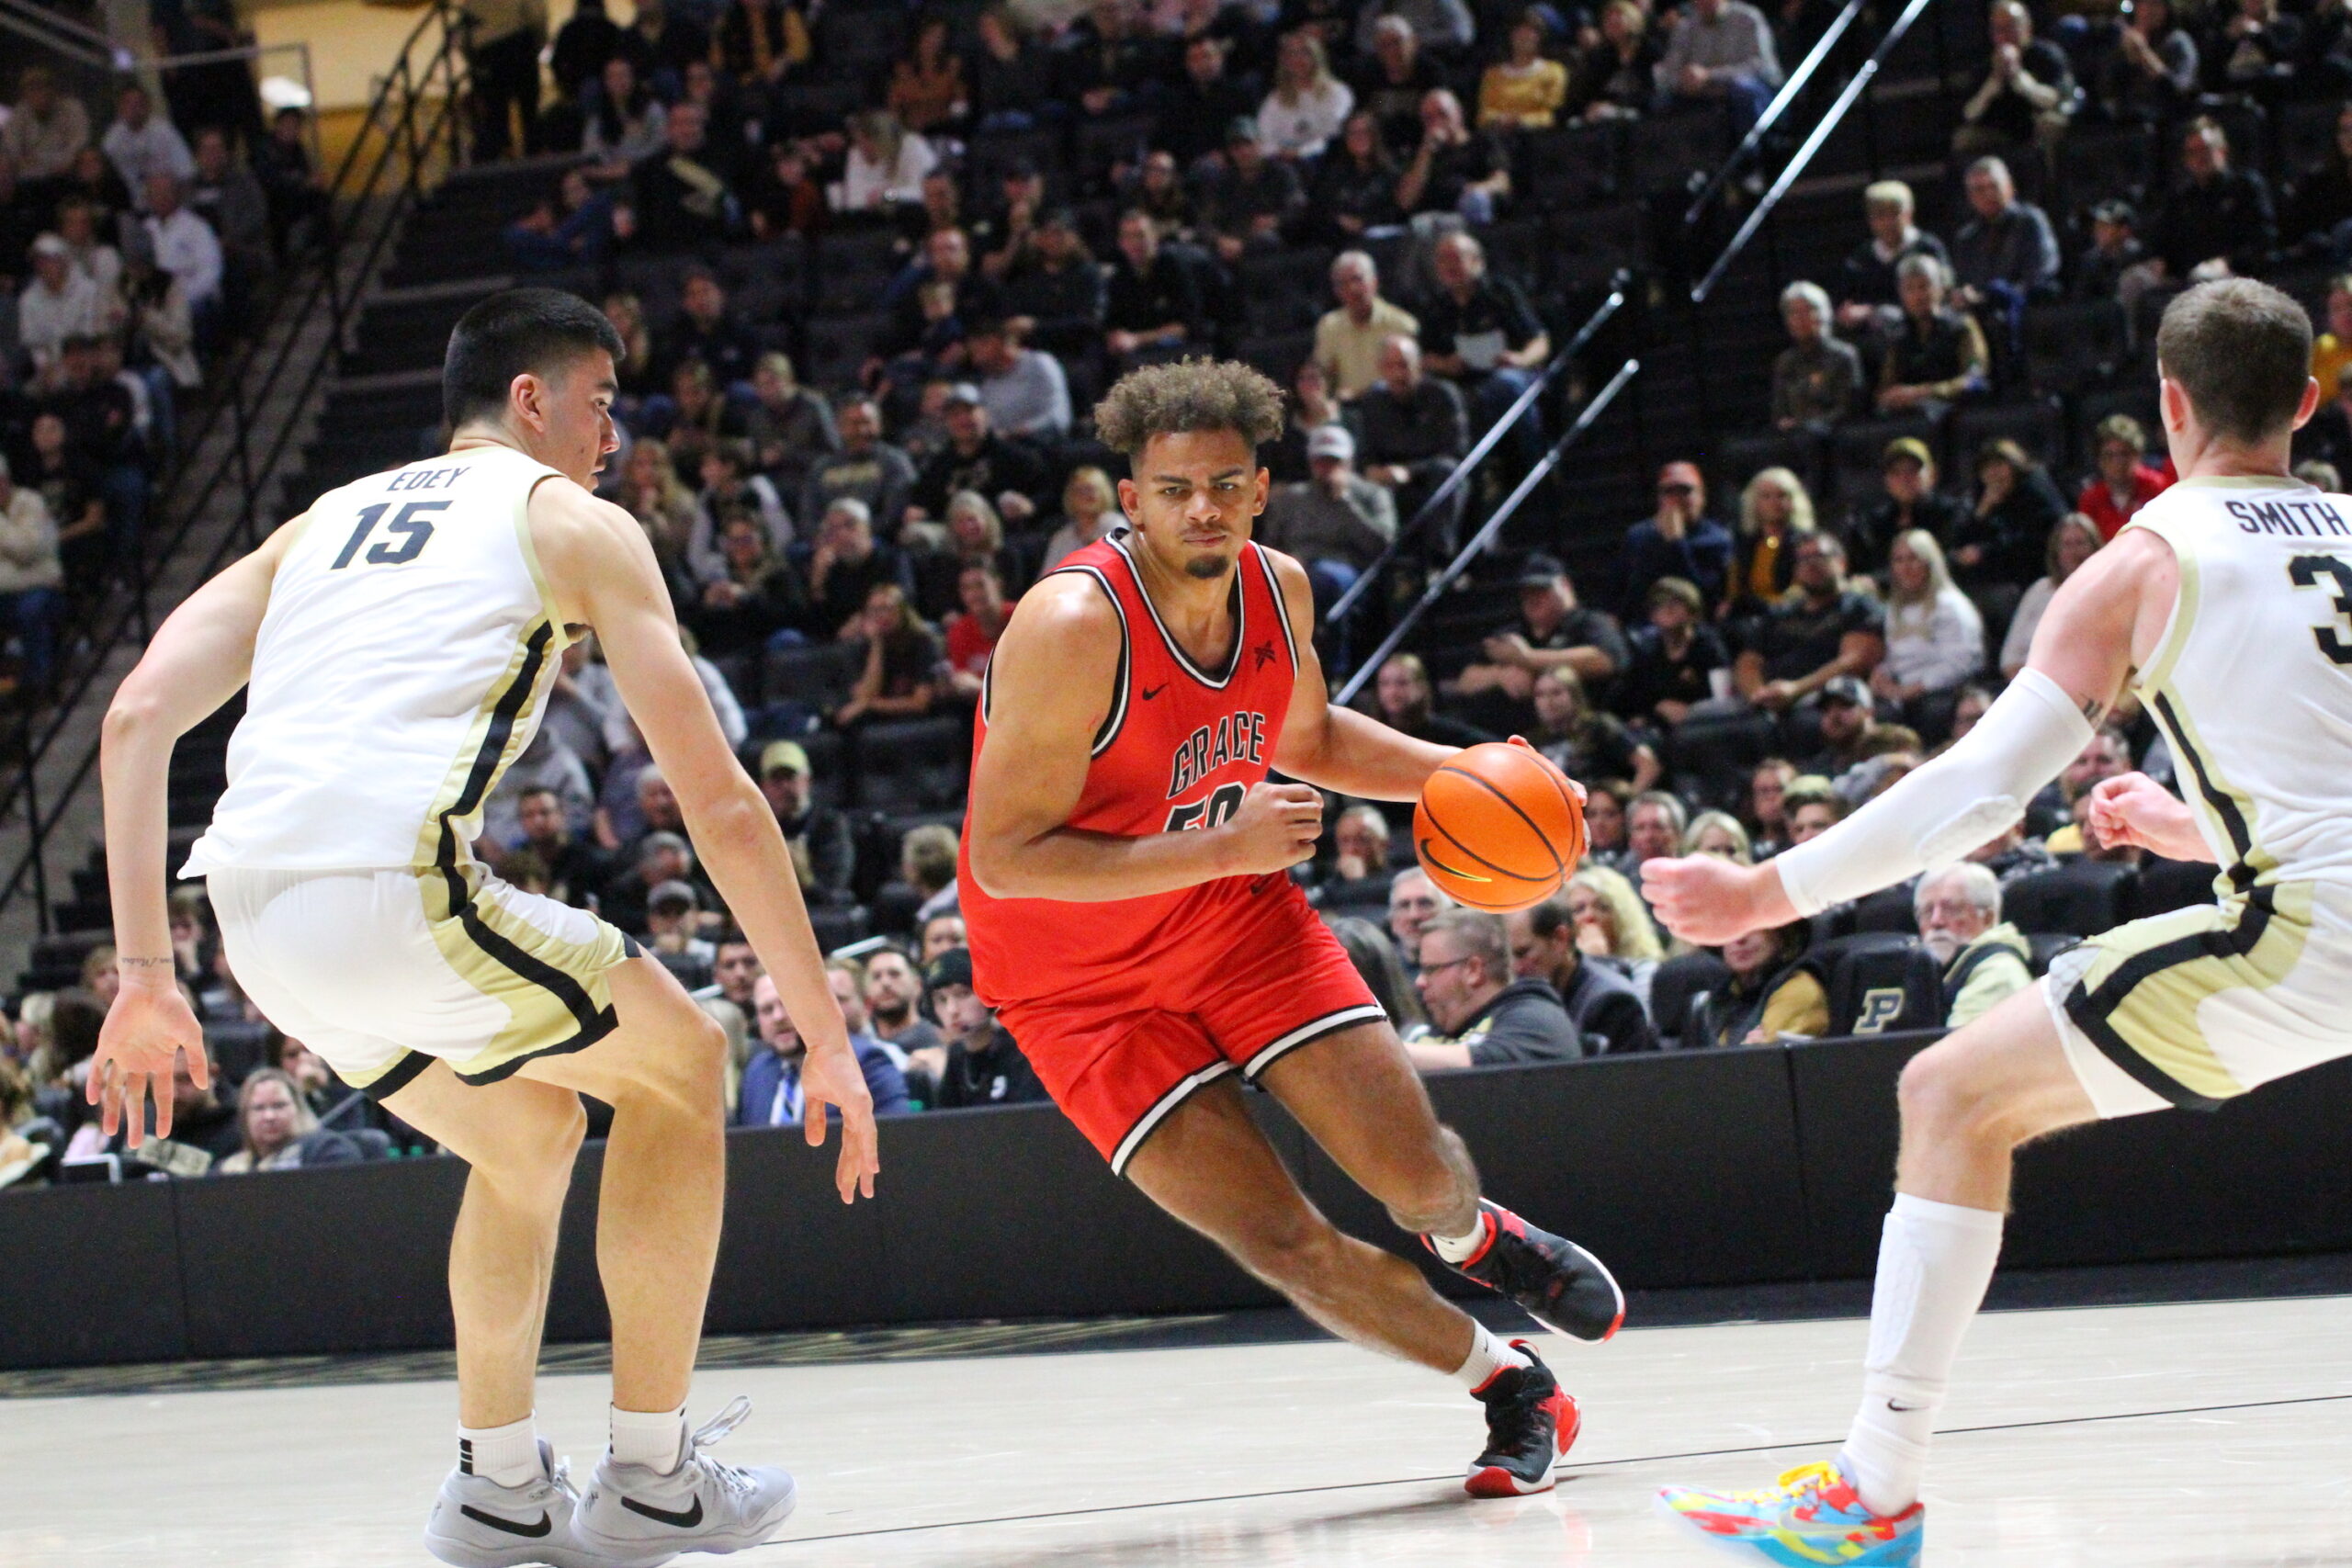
x=2243 y=354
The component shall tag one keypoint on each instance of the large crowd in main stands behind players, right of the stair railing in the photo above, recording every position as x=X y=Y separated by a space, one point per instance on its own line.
x=1045 y=196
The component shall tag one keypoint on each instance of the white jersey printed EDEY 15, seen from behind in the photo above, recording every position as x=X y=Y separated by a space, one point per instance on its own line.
x=401 y=666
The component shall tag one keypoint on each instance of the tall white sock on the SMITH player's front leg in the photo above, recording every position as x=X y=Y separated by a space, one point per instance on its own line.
x=1935 y=1266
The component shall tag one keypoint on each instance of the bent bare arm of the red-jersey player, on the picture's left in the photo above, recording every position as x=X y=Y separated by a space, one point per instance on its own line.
x=1053 y=683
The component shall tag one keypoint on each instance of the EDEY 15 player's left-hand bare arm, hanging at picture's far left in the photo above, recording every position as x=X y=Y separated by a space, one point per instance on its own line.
x=199 y=659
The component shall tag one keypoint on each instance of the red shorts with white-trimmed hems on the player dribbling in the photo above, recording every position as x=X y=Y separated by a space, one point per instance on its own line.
x=1123 y=1054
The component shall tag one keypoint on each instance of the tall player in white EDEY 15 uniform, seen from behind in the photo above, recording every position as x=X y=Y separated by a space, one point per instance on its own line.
x=399 y=643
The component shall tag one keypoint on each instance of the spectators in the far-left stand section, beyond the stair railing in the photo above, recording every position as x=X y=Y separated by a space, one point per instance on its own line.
x=131 y=248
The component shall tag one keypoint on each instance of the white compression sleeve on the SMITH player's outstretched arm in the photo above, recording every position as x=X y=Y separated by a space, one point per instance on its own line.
x=1944 y=810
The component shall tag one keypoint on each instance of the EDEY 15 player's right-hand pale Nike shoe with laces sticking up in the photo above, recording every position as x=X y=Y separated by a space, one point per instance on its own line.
x=641 y=1517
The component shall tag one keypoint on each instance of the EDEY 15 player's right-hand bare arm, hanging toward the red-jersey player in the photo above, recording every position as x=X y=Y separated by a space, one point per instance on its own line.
x=601 y=572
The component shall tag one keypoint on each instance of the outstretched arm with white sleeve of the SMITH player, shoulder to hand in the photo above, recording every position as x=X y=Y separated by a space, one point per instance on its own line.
x=1937 y=815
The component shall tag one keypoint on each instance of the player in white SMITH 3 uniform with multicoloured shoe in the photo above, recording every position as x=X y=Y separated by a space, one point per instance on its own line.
x=2226 y=608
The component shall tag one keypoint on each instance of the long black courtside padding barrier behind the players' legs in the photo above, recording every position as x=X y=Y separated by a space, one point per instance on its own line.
x=1681 y=1170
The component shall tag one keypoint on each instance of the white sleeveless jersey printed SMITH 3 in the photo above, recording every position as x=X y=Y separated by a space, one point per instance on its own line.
x=2254 y=674
